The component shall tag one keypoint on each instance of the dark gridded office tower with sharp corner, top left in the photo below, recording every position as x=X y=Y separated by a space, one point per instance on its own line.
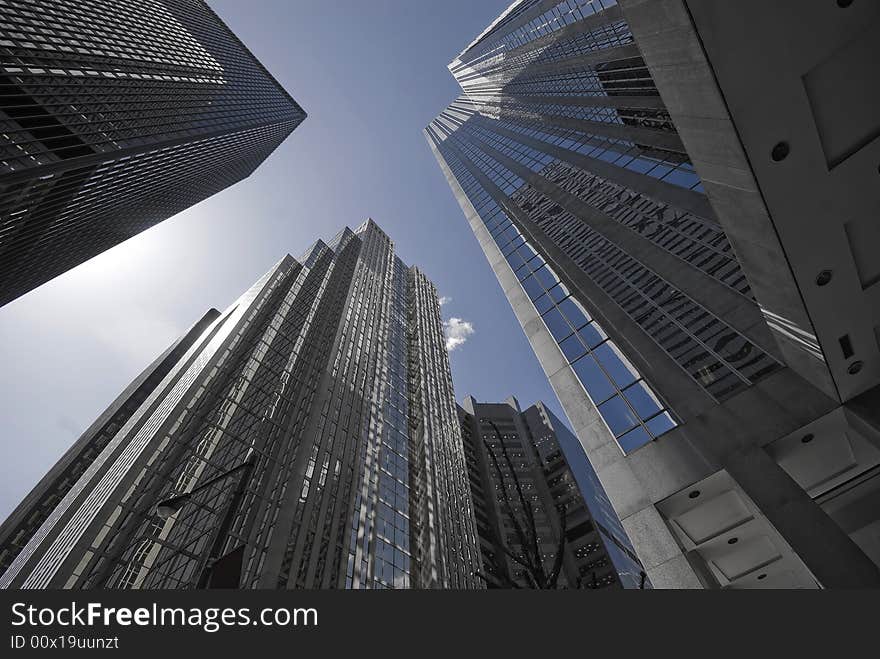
x=115 y=116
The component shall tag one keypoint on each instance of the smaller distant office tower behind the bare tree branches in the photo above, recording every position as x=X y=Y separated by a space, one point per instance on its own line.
x=508 y=450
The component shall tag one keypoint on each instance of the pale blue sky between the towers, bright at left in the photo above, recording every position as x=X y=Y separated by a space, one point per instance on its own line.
x=370 y=74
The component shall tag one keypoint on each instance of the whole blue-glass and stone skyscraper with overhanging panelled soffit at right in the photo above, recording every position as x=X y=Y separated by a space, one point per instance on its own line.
x=718 y=370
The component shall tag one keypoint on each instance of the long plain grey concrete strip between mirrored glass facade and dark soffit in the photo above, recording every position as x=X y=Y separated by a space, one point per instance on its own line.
x=671 y=48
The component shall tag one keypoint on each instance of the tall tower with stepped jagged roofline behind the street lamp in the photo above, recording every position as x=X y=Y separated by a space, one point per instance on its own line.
x=306 y=438
